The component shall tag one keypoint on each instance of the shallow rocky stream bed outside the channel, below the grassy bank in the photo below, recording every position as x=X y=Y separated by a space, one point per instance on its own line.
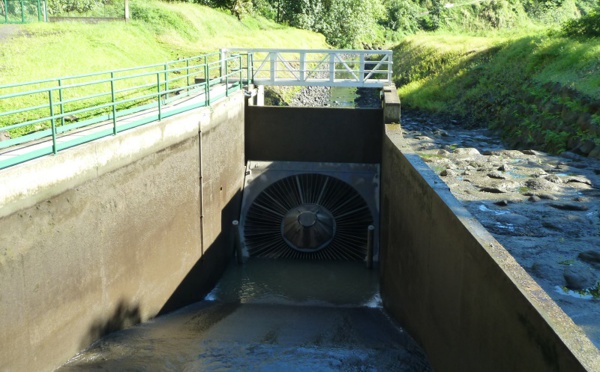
x=544 y=209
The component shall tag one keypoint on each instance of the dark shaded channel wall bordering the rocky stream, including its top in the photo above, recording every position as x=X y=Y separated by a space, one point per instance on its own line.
x=458 y=292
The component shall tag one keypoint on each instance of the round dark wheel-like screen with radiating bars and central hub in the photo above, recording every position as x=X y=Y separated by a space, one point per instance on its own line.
x=310 y=216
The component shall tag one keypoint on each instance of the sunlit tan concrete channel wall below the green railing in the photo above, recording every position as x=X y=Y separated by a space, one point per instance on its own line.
x=113 y=232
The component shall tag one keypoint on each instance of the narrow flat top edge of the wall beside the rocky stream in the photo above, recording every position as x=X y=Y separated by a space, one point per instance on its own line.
x=570 y=334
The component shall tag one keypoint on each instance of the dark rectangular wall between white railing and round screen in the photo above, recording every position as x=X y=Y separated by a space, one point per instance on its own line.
x=313 y=134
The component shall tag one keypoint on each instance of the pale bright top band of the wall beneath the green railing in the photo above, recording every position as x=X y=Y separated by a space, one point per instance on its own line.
x=26 y=184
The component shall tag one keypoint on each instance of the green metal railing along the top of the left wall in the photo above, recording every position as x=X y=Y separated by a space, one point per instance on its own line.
x=41 y=117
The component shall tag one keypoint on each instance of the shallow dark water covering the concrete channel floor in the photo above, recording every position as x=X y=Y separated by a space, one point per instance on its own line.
x=269 y=316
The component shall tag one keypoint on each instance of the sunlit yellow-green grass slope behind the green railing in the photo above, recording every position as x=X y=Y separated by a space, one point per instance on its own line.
x=158 y=32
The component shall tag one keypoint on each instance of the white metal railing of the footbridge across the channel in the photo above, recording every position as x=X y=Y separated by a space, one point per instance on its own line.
x=317 y=67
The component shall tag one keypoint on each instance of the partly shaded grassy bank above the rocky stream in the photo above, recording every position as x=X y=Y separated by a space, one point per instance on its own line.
x=540 y=89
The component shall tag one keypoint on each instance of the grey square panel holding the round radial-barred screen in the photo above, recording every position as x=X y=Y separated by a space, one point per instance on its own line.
x=309 y=214
